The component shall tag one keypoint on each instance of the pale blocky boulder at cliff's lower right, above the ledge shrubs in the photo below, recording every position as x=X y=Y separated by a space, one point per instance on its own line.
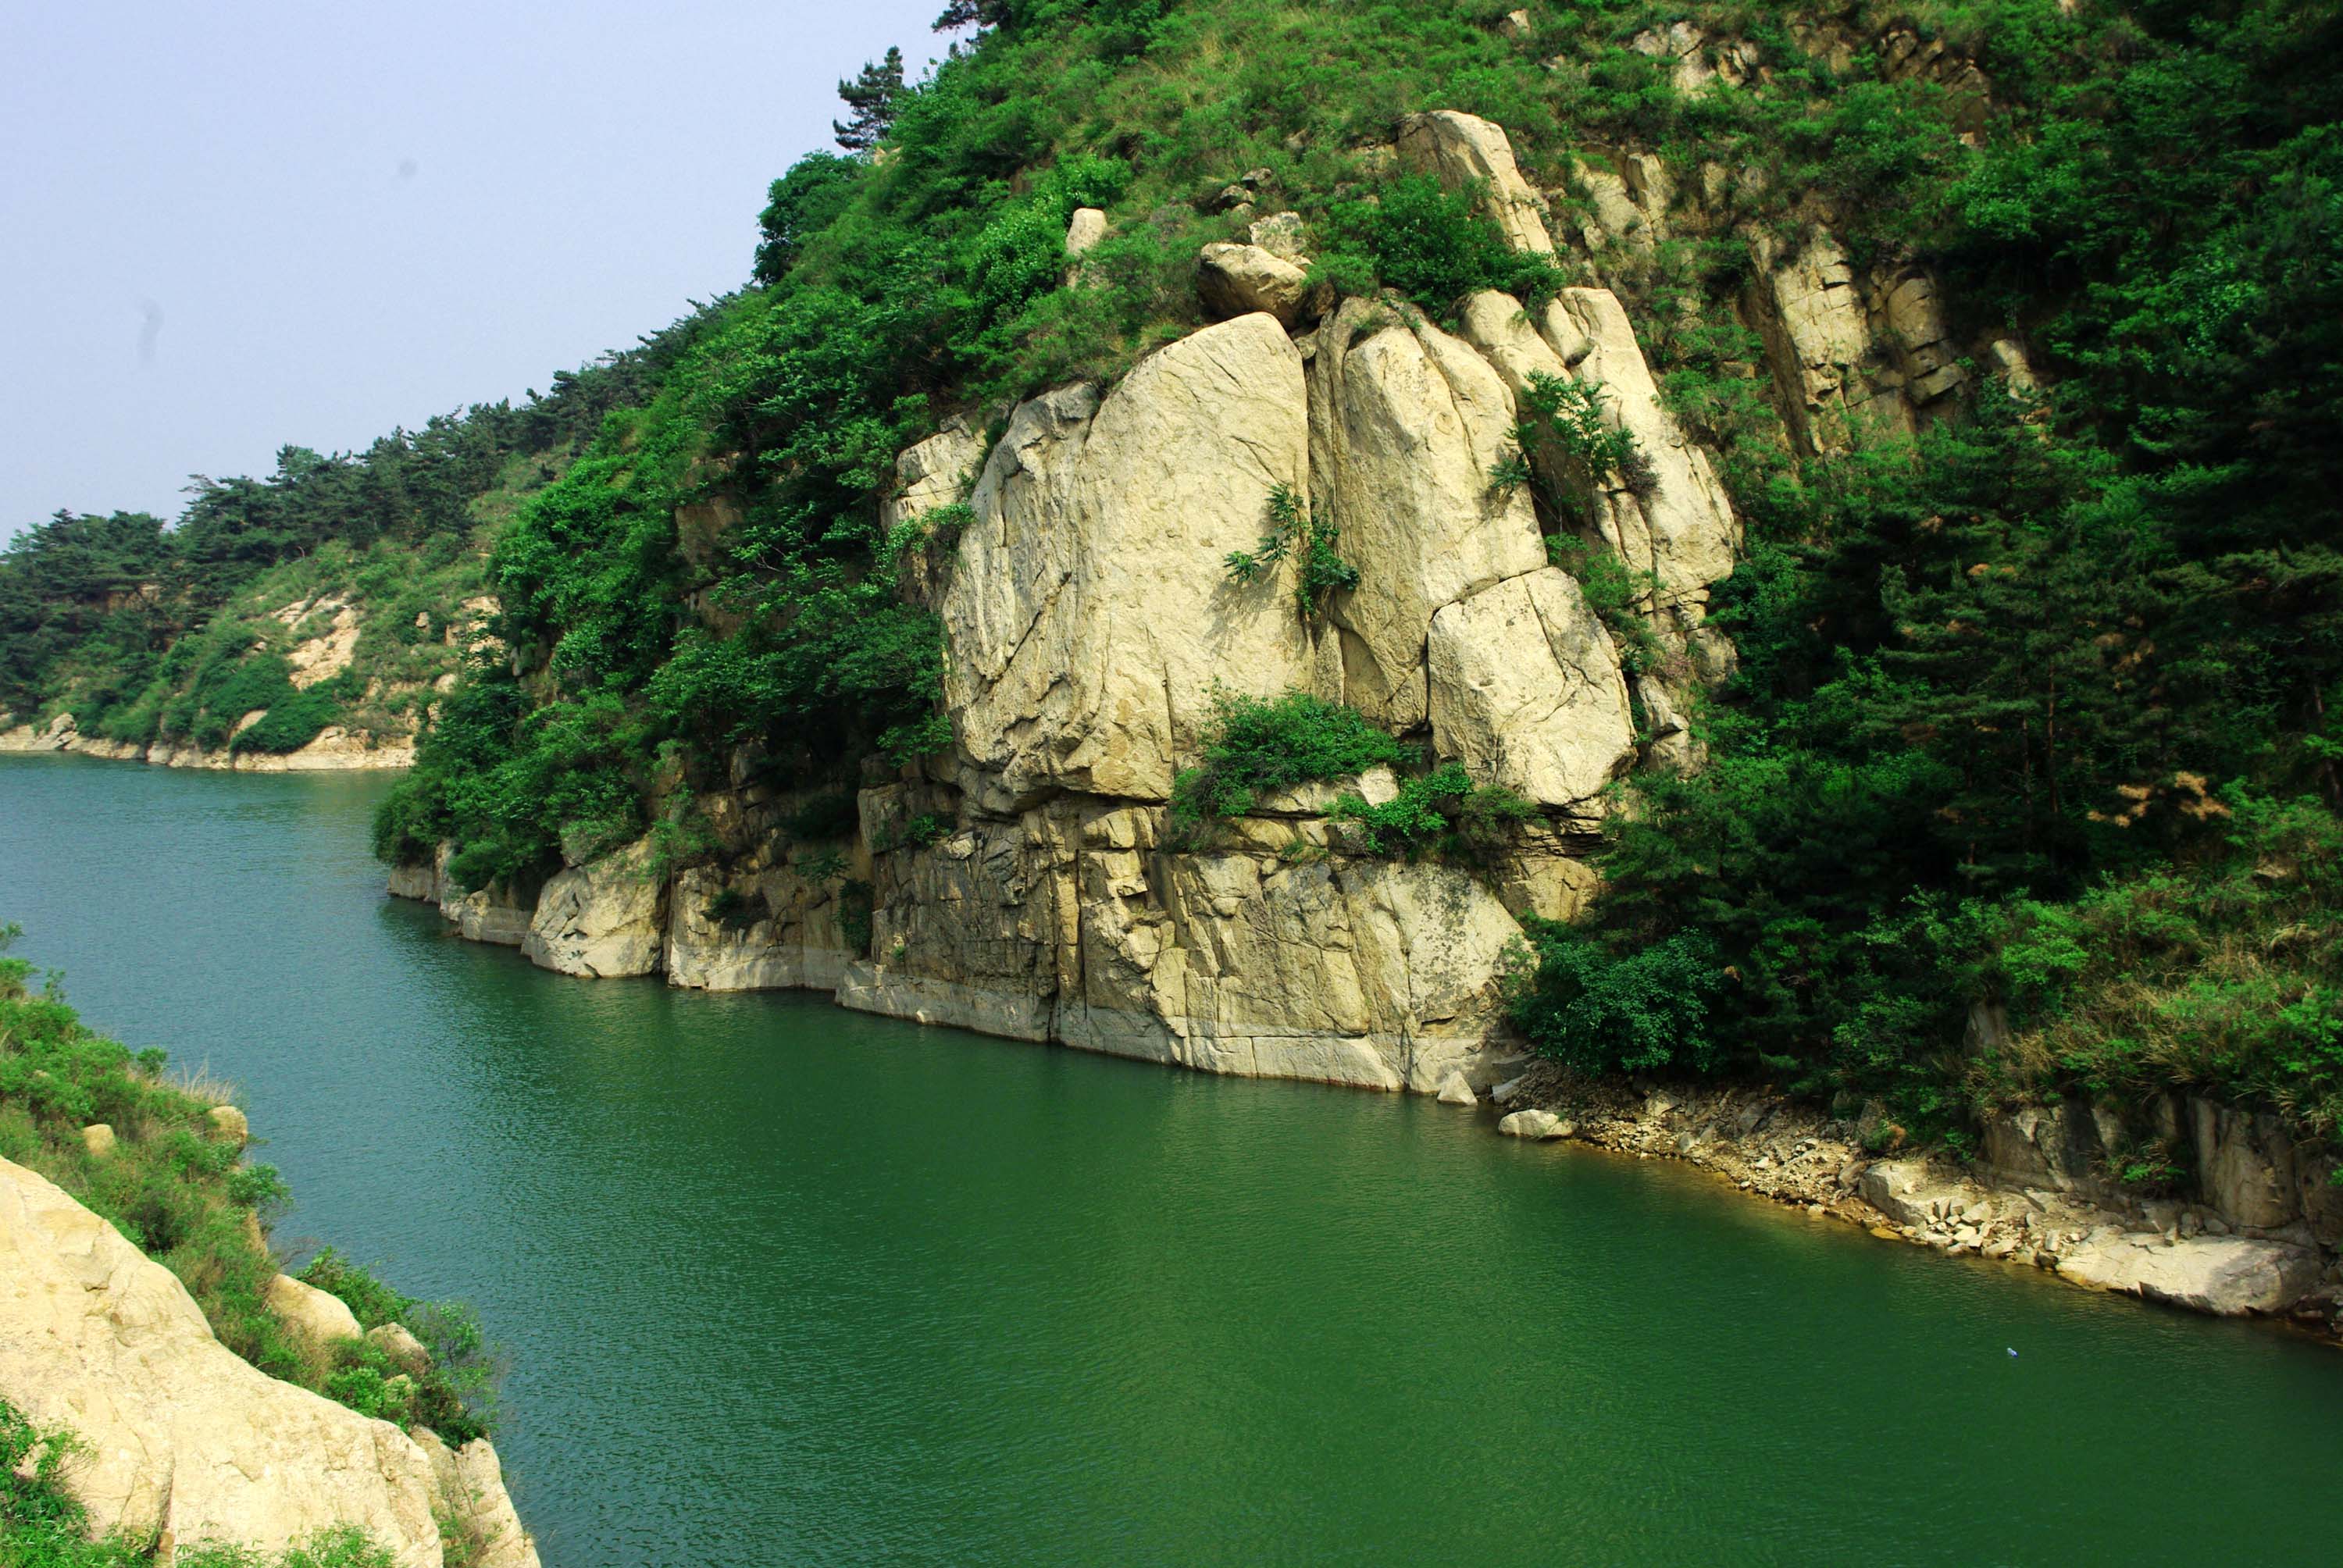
x=1526 y=690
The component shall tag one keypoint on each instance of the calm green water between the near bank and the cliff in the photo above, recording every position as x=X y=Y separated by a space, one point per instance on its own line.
x=793 y=1286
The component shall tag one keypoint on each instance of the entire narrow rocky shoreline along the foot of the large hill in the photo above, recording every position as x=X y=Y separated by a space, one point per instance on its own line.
x=2257 y=1239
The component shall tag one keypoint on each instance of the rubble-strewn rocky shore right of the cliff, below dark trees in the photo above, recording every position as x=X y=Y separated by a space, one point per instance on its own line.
x=2257 y=1241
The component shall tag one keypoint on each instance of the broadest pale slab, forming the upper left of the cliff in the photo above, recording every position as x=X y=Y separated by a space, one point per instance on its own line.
x=1091 y=611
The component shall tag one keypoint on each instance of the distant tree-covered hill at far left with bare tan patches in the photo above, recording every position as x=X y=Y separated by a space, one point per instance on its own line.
x=332 y=594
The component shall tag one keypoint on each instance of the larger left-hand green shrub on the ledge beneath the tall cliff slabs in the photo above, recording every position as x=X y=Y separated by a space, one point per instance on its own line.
x=1266 y=746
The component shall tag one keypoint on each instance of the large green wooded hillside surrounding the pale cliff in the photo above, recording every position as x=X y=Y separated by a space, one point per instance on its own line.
x=2021 y=775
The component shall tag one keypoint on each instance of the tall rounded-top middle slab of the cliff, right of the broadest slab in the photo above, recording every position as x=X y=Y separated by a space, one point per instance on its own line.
x=1405 y=430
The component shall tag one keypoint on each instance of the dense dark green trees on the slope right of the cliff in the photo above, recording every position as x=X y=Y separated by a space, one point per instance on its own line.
x=2026 y=716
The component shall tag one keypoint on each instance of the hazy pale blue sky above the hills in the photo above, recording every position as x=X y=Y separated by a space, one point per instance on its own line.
x=235 y=226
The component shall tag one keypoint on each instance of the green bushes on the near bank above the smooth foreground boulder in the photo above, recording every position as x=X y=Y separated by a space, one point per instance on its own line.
x=182 y=1192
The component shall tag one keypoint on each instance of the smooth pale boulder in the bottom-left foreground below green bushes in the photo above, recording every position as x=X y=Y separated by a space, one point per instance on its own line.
x=184 y=1440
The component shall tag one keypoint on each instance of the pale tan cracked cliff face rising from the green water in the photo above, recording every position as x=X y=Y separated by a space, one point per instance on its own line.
x=1025 y=885
